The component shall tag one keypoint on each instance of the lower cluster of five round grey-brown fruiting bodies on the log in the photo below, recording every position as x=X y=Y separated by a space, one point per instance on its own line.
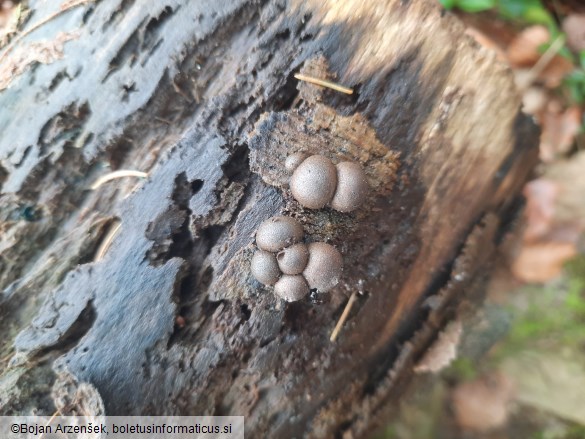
x=294 y=268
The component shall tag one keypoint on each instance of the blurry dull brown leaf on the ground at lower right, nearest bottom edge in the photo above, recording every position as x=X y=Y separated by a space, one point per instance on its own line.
x=483 y=404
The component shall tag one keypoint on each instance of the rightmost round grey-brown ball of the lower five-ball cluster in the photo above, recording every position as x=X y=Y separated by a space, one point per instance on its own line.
x=324 y=268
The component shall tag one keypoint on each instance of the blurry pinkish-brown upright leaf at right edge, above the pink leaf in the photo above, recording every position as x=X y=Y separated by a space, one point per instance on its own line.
x=559 y=128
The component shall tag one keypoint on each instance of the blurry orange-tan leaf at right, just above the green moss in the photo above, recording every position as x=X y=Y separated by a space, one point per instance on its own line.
x=541 y=262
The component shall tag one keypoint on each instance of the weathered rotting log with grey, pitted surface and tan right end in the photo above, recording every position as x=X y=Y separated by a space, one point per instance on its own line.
x=202 y=97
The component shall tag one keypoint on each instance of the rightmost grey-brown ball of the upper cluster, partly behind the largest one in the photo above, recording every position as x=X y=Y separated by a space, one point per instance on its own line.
x=352 y=187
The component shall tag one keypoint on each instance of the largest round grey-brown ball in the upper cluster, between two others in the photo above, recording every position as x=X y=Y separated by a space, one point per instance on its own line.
x=314 y=181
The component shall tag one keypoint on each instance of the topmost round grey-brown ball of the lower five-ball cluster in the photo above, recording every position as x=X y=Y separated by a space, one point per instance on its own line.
x=278 y=232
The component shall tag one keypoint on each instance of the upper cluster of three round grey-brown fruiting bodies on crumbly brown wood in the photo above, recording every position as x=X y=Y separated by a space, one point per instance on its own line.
x=316 y=182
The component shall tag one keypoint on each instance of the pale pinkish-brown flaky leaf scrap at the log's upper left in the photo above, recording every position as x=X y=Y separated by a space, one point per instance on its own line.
x=45 y=52
